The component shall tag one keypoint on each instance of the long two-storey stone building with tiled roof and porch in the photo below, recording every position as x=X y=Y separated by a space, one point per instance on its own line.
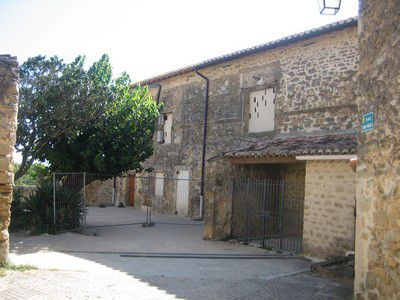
x=282 y=110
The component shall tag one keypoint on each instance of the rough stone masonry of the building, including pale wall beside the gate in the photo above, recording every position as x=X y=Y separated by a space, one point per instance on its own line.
x=315 y=83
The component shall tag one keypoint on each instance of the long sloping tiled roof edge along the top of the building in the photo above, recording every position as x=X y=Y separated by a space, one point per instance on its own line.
x=259 y=48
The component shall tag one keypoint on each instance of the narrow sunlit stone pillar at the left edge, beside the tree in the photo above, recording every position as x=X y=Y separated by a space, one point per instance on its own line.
x=8 y=128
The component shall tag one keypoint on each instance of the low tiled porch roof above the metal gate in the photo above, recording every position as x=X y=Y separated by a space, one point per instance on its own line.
x=295 y=146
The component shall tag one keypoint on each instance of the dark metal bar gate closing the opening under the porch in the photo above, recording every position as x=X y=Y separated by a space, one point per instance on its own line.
x=268 y=212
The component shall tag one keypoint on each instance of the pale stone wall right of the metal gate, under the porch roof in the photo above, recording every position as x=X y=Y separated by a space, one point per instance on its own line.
x=329 y=219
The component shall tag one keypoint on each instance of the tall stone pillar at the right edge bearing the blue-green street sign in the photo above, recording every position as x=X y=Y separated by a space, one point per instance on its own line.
x=377 y=265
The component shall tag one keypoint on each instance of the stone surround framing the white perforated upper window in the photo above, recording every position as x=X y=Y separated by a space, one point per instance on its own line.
x=245 y=95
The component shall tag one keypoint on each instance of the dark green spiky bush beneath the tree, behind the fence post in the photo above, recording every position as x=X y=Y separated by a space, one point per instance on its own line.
x=36 y=211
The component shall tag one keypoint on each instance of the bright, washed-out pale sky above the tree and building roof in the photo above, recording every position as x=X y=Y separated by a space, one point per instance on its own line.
x=147 y=38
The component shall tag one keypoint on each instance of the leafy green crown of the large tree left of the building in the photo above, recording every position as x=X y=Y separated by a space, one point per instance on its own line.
x=82 y=120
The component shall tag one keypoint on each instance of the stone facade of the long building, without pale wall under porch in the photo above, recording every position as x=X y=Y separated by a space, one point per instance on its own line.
x=315 y=93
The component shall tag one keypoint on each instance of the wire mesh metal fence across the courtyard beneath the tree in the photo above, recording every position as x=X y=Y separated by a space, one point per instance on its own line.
x=85 y=200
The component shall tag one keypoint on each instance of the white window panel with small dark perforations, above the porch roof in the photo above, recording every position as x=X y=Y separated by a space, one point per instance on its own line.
x=262 y=110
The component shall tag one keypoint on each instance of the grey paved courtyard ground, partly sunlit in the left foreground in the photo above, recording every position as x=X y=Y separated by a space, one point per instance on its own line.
x=167 y=261
